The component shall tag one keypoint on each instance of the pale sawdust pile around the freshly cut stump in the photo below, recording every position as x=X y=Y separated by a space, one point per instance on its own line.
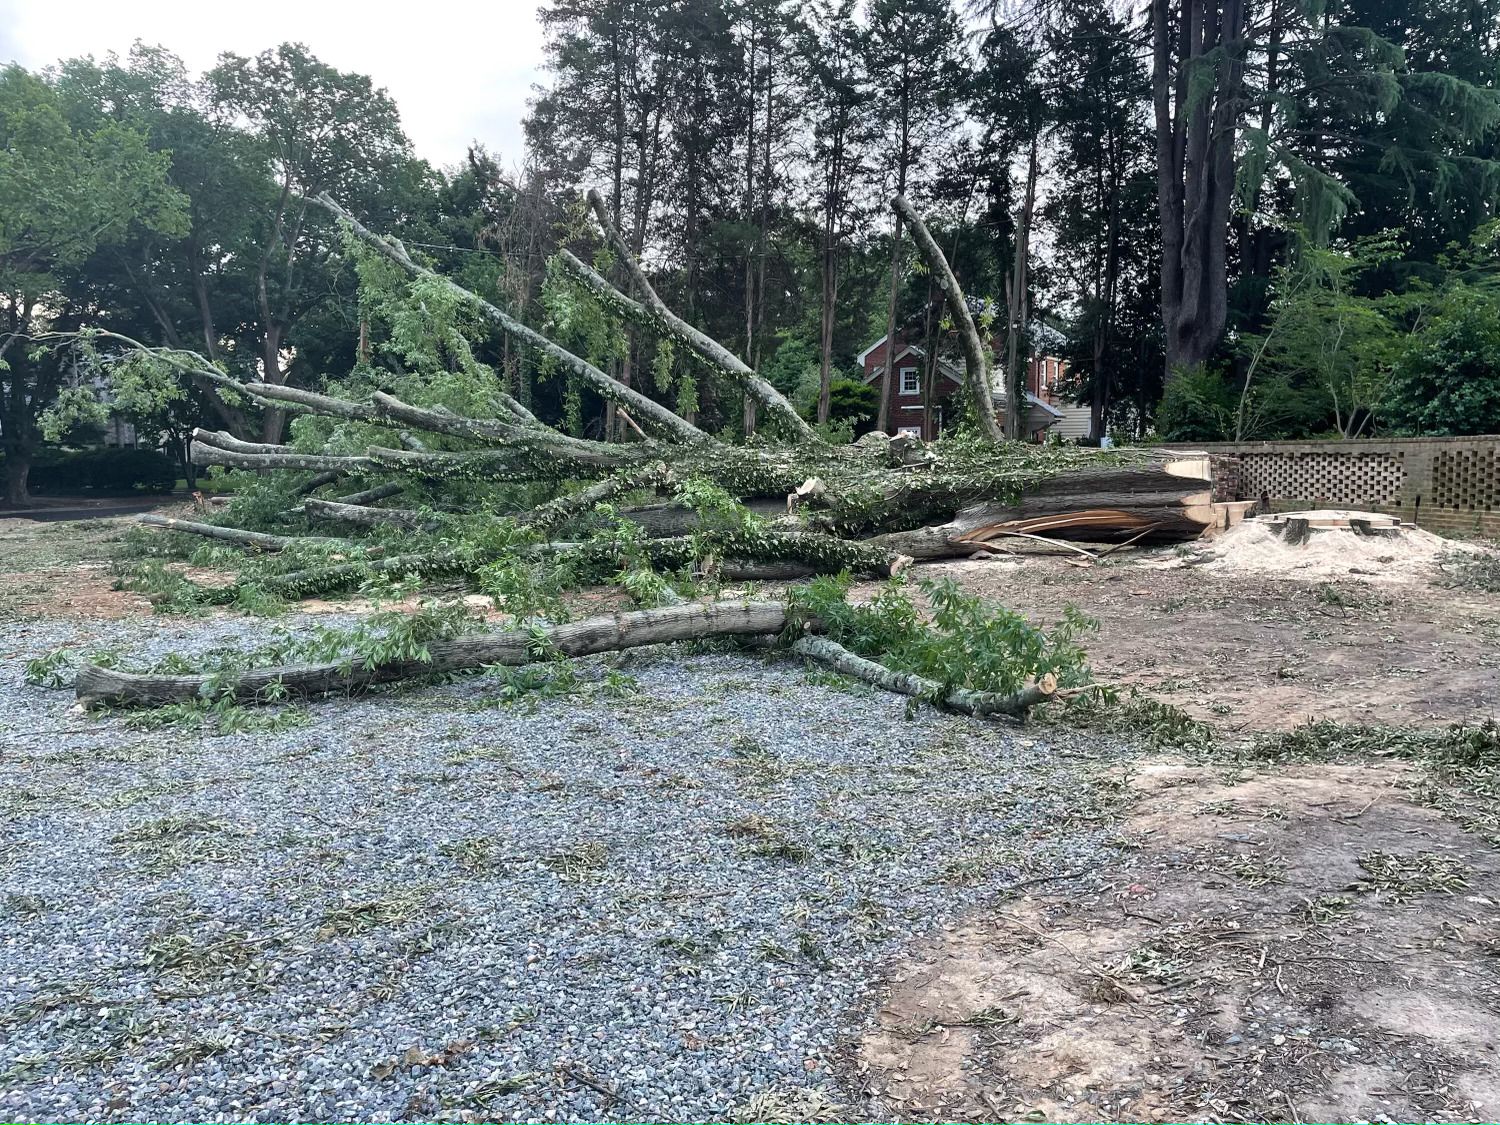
x=1328 y=553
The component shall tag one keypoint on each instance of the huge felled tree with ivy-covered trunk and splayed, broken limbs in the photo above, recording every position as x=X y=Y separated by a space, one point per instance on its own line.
x=502 y=502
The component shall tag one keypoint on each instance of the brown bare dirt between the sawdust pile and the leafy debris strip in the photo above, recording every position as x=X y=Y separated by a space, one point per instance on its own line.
x=1252 y=652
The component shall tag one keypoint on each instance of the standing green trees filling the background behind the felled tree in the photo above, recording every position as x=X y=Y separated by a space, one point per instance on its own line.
x=1190 y=191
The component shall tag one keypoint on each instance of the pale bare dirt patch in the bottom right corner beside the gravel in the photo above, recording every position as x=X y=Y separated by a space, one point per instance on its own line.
x=1294 y=946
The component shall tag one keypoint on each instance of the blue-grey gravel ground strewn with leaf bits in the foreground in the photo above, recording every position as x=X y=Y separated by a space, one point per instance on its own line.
x=655 y=898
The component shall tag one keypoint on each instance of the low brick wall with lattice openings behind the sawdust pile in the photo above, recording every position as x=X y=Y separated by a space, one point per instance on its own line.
x=1442 y=484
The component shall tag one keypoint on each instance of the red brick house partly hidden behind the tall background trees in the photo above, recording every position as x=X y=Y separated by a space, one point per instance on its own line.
x=905 y=392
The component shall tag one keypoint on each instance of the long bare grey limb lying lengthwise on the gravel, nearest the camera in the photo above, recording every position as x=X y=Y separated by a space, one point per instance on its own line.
x=106 y=686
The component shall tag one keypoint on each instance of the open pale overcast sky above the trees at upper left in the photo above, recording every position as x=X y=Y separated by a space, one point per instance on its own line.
x=458 y=71
